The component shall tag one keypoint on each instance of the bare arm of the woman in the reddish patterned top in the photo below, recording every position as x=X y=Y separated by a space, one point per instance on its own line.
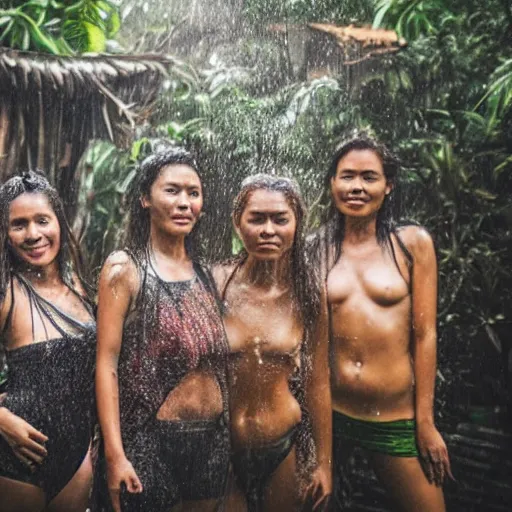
x=117 y=287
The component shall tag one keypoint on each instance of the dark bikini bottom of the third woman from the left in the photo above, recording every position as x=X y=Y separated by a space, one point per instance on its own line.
x=253 y=467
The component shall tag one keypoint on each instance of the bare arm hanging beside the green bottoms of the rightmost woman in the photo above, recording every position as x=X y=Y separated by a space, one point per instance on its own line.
x=433 y=450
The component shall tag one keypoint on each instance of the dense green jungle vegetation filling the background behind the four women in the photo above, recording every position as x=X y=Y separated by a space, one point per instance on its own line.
x=444 y=104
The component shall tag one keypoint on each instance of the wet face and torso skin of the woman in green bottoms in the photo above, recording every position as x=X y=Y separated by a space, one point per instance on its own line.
x=372 y=376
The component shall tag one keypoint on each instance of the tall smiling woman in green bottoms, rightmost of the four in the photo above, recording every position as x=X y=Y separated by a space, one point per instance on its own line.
x=382 y=293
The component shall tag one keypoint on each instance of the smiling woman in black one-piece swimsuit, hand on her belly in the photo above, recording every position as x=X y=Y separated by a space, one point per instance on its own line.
x=48 y=340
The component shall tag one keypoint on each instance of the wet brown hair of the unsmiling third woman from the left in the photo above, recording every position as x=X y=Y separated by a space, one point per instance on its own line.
x=304 y=285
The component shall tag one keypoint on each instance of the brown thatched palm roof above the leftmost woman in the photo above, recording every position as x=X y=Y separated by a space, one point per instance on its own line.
x=51 y=107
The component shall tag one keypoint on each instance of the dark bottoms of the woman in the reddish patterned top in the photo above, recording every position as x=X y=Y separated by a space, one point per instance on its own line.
x=176 y=461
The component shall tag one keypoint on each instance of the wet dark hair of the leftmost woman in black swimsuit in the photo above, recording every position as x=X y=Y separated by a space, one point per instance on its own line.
x=69 y=258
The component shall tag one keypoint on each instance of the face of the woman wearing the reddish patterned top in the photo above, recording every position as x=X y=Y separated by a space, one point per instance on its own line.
x=175 y=200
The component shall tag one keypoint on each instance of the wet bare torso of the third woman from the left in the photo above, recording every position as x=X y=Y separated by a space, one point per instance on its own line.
x=264 y=338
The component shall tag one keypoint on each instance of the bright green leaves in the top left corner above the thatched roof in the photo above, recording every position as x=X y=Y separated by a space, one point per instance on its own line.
x=59 y=27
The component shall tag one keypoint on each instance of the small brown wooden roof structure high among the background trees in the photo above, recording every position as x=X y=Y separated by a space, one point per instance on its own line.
x=319 y=49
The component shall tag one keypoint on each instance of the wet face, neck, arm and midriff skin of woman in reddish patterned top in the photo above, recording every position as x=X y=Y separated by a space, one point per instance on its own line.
x=174 y=204
